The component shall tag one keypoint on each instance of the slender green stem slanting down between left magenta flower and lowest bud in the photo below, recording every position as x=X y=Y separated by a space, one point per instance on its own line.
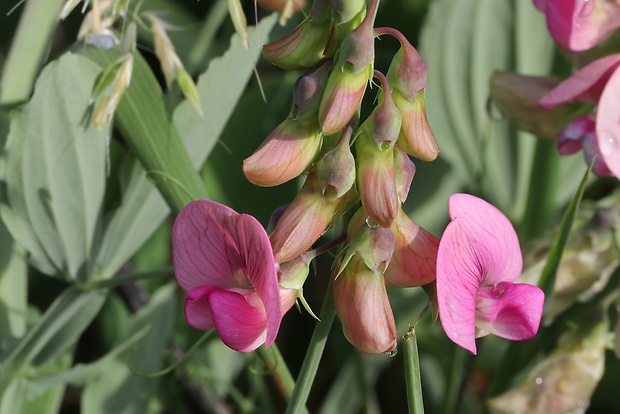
x=313 y=355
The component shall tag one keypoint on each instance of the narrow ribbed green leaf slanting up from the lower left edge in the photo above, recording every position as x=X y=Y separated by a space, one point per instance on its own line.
x=57 y=330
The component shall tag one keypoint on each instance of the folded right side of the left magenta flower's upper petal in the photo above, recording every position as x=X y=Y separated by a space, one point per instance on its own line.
x=260 y=267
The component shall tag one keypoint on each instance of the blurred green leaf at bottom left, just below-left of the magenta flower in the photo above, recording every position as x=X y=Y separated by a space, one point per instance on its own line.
x=118 y=390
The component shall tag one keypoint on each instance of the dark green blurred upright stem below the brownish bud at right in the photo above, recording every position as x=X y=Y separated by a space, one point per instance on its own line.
x=539 y=207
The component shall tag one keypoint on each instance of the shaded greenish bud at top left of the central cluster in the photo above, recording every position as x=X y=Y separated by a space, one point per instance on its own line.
x=303 y=47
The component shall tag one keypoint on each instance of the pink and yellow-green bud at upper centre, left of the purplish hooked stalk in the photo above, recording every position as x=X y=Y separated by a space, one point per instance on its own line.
x=342 y=97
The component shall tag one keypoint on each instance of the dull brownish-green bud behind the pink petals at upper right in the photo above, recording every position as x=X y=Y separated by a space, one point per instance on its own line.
x=517 y=97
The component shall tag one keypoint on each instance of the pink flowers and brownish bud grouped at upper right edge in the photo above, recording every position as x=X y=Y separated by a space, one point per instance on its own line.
x=581 y=111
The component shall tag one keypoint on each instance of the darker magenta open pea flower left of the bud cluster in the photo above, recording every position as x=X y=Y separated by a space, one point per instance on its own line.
x=224 y=261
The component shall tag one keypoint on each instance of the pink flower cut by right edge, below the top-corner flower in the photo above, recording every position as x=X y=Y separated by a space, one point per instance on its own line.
x=598 y=82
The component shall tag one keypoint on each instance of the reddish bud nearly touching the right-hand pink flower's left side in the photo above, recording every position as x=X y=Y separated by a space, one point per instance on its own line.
x=415 y=254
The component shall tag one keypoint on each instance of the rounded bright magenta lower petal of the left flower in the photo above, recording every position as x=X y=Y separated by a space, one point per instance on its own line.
x=239 y=320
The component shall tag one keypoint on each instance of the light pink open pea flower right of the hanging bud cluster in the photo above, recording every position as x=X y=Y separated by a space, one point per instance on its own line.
x=477 y=262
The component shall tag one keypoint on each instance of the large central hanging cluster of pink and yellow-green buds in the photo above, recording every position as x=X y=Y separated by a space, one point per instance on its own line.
x=350 y=164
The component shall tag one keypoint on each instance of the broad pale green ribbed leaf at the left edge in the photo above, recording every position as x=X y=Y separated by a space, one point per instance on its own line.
x=54 y=170
